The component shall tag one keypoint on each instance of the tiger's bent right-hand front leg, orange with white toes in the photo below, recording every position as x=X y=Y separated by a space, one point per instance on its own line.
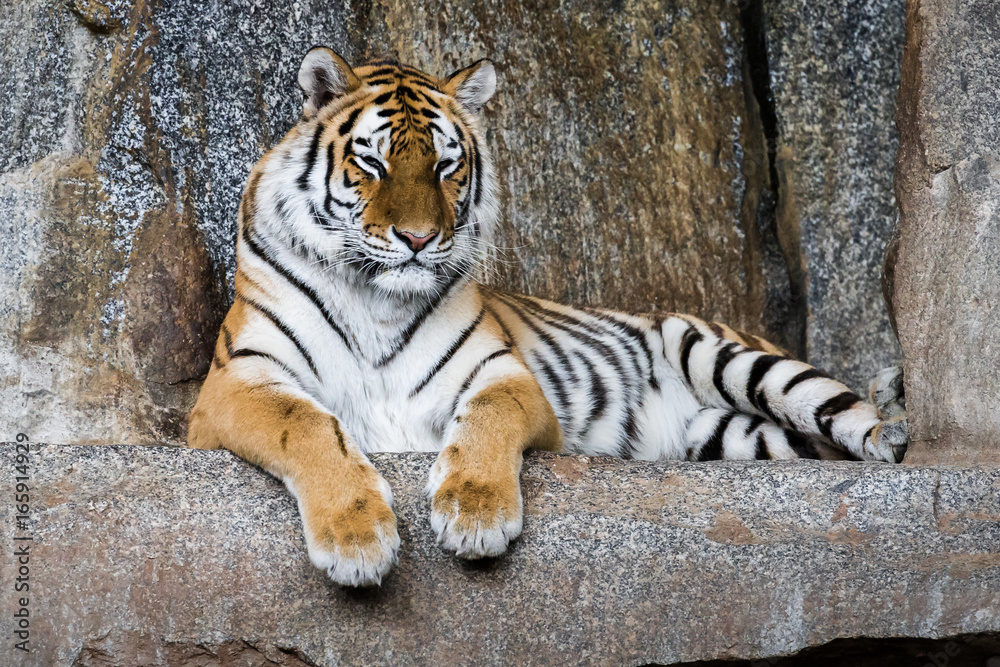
x=474 y=485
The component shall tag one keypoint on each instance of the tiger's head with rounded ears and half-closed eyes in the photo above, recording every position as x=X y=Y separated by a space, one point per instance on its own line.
x=390 y=166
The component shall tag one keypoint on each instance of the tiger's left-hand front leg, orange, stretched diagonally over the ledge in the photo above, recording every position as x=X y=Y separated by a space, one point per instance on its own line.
x=344 y=503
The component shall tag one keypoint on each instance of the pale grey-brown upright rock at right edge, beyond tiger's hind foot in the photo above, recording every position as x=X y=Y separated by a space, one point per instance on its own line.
x=946 y=286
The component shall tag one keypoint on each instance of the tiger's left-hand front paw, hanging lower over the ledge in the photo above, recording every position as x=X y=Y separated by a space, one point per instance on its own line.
x=351 y=532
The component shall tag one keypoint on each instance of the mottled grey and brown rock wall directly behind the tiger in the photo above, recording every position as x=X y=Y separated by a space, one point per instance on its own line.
x=633 y=160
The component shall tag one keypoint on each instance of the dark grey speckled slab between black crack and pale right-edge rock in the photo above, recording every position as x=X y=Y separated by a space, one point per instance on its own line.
x=835 y=68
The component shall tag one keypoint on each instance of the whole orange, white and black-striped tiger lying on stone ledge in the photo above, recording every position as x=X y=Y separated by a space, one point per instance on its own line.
x=359 y=325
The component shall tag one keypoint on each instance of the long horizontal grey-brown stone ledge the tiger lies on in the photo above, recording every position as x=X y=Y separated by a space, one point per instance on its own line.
x=154 y=556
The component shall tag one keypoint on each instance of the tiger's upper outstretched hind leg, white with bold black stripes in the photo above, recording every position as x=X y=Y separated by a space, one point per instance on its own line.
x=724 y=370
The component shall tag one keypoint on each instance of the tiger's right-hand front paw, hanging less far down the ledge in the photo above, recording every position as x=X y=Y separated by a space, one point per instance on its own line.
x=475 y=510
